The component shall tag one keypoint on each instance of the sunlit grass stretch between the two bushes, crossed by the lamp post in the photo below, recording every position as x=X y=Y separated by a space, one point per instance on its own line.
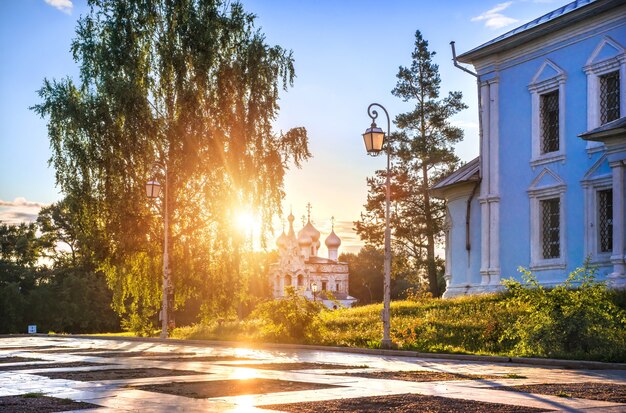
x=461 y=325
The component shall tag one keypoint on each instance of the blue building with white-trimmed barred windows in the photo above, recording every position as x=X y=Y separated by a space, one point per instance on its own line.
x=547 y=190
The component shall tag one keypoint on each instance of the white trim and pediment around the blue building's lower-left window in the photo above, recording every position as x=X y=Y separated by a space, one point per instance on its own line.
x=536 y=195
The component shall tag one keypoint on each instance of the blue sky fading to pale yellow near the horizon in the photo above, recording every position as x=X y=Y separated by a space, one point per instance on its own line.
x=347 y=53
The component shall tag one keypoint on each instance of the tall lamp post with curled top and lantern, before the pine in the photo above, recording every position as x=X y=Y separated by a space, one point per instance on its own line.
x=374 y=139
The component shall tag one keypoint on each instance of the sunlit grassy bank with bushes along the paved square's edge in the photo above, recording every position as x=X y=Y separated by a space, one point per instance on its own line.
x=485 y=324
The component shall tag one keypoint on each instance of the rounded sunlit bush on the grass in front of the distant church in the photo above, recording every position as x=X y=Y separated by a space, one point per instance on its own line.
x=292 y=319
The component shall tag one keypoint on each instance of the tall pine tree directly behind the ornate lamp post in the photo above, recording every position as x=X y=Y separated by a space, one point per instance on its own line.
x=422 y=153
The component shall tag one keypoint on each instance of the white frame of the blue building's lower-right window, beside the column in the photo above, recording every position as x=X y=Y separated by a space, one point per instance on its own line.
x=591 y=187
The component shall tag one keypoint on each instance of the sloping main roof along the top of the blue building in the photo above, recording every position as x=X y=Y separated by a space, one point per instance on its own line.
x=555 y=20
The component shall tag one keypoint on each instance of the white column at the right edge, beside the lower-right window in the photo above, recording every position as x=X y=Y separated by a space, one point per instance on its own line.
x=617 y=259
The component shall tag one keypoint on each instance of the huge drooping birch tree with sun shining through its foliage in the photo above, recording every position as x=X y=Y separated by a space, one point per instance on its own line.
x=192 y=86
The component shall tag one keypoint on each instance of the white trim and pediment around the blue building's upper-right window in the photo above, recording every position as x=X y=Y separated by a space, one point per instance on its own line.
x=594 y=70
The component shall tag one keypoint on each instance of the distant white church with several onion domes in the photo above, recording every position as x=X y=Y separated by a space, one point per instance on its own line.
x=321 y=279
